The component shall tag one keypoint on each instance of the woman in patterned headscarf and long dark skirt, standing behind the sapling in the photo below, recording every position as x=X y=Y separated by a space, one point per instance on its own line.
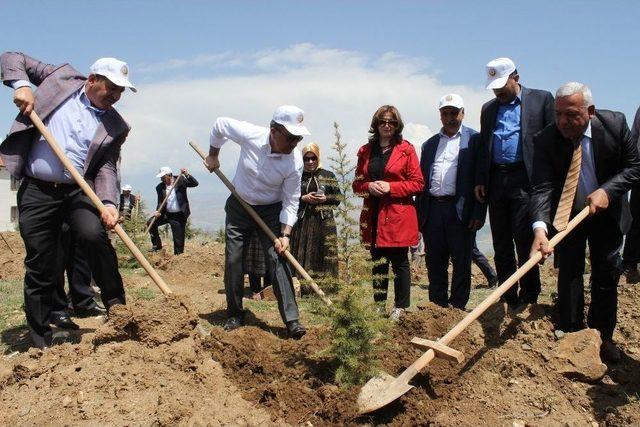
x=313 y=239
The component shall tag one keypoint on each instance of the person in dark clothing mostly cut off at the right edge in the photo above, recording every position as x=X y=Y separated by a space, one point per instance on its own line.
x=631 y=253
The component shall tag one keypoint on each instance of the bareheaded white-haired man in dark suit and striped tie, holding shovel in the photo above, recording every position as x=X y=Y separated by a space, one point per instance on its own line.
x=608 y=168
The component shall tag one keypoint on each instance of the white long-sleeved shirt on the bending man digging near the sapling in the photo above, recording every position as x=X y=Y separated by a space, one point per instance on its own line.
x=262 y=177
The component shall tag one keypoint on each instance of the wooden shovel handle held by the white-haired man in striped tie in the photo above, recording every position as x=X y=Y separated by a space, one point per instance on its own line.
x=424 y=360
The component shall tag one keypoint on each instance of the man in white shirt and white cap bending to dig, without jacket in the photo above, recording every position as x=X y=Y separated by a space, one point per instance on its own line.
x=268 y=178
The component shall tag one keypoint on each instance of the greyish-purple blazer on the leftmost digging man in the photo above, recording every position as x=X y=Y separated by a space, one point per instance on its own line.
x=55 y=84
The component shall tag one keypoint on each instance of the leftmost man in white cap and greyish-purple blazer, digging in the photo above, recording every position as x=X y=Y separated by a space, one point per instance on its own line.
x=79 y=113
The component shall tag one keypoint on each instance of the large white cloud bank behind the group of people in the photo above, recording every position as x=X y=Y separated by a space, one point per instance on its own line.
x=329 y=84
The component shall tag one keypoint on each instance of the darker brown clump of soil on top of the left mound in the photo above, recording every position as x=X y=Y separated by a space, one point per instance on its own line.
x=160 y=321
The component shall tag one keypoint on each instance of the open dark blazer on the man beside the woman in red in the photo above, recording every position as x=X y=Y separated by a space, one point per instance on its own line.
x=467 y=206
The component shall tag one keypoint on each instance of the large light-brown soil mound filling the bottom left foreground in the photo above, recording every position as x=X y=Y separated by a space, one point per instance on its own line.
x=150 y=369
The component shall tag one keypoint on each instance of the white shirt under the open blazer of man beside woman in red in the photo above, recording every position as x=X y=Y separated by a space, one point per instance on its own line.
x=445 y=166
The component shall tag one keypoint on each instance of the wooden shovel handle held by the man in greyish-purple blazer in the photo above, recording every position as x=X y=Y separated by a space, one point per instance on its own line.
x=97 y=202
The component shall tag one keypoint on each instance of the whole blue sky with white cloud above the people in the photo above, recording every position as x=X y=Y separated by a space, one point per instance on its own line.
x=338 y=60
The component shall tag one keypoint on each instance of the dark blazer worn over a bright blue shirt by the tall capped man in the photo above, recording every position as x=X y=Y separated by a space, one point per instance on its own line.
x=536 y=112
